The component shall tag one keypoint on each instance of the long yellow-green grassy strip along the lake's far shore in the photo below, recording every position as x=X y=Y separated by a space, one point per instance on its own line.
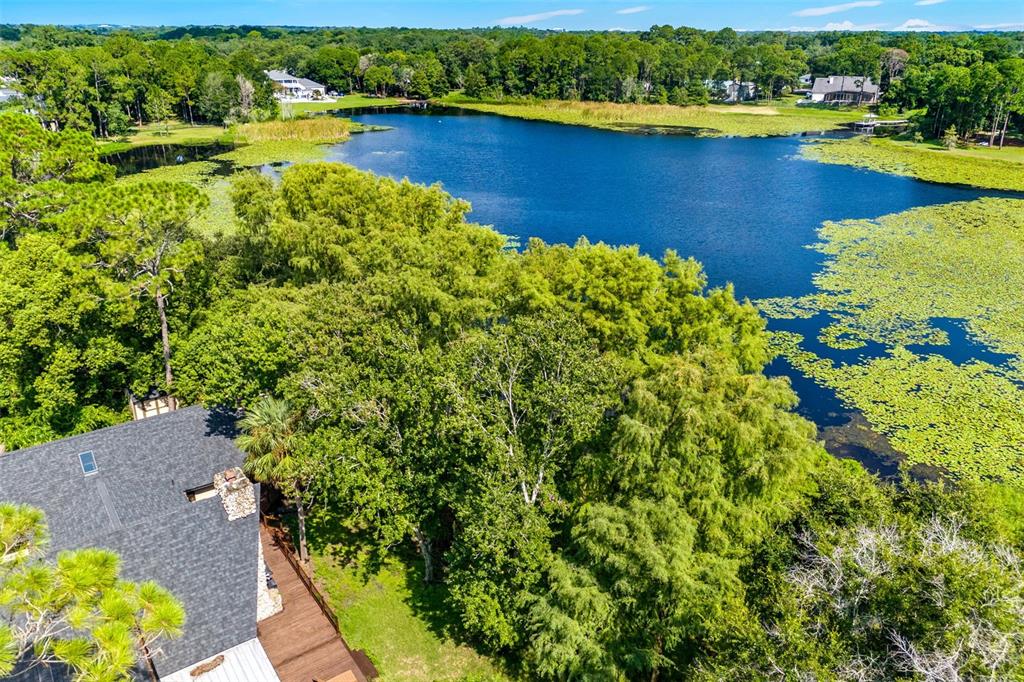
x=780 y=118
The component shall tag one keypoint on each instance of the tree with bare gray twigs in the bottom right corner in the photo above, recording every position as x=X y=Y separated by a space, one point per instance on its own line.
x=902 y=599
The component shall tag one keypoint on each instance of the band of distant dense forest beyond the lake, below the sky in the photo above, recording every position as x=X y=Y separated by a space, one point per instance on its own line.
x=106 y=81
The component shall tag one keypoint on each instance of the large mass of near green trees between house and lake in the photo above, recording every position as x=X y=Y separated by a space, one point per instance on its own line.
x=579 y=442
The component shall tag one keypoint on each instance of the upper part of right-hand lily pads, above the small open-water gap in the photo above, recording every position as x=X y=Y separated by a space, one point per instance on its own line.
x=886 y=280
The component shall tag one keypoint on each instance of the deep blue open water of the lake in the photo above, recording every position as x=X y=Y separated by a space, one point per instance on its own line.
x=746 y=208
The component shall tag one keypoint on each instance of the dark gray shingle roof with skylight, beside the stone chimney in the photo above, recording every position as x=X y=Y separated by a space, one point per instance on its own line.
x=136 y=505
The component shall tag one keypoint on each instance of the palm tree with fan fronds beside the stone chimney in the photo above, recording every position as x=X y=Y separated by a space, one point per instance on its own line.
x=270 y=436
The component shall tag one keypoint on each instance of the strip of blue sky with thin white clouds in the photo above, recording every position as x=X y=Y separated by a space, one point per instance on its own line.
x=565 y=15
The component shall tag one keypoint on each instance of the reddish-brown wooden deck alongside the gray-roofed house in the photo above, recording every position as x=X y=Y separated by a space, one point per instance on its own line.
x=301 y=642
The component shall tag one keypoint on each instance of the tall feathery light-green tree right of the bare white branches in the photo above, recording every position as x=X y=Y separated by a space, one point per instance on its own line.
x=705 y=461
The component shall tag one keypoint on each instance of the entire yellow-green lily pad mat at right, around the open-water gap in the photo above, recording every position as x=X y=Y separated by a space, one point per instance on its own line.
x=887 y=281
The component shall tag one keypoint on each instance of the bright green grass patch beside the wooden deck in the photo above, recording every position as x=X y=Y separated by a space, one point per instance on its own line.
x=402 y=624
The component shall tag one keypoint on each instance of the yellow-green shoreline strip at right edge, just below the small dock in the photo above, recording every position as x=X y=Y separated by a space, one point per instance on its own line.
x=977 y=166
